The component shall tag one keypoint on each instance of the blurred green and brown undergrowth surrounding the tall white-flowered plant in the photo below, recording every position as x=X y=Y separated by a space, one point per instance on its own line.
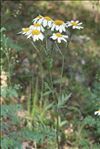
x=28 y=109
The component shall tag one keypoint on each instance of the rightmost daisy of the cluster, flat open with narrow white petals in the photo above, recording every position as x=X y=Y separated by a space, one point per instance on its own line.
x=74 y=24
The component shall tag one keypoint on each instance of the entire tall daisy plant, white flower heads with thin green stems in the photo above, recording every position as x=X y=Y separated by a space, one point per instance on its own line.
x=46 y=29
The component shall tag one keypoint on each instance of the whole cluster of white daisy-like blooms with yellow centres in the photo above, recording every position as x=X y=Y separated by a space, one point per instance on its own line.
x=57 y=28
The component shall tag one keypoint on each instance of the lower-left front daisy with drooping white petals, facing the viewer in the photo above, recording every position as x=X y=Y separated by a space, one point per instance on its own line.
x=36 y=35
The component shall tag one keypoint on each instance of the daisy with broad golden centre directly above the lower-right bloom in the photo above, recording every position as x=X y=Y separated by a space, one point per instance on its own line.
x=58 y=25
